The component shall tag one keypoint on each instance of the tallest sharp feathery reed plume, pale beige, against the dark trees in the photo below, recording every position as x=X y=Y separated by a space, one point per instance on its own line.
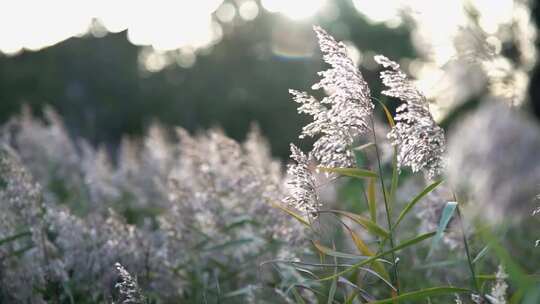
x=344 y=113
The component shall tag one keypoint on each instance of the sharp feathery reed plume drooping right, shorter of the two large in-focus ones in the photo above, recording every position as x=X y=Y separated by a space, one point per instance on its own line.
x=420 y=141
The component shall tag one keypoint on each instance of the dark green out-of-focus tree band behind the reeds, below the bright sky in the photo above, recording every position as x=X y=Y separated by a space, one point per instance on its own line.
x=105 y=86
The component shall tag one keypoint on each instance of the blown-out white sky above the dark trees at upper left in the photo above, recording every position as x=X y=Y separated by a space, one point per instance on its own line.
x=162 y=24
